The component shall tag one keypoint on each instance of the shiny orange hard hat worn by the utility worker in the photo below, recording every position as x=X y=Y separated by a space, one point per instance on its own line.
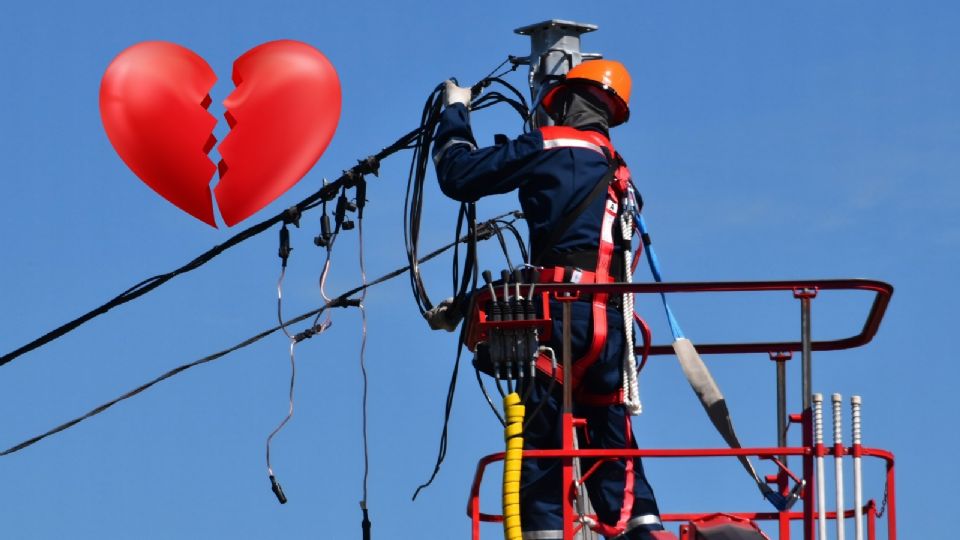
x=608 y=75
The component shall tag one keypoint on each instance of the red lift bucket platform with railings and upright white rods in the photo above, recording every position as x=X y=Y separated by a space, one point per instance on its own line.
x=857 y=521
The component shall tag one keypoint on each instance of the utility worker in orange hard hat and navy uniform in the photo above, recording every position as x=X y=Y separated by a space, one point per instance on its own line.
x=558 y=172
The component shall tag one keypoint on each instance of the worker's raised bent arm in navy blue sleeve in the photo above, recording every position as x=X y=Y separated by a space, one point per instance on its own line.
x=466 y=172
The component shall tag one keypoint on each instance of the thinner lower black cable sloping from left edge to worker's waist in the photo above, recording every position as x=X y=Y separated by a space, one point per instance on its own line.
x=340 y=300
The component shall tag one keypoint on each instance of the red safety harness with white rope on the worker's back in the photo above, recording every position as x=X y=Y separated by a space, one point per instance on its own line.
x=619 y=208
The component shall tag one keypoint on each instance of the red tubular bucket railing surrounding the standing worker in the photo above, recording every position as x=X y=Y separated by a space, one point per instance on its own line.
x=809 y=451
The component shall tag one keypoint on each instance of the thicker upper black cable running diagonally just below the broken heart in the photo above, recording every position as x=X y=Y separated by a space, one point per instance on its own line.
x=349 y=178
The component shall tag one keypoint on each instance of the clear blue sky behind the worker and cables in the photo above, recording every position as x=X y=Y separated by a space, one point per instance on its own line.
x=810 y=140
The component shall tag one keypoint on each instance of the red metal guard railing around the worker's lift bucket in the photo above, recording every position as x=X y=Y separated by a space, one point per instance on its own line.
x=804 y=290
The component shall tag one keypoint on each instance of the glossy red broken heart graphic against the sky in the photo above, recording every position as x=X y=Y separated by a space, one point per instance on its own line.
x=283 y=113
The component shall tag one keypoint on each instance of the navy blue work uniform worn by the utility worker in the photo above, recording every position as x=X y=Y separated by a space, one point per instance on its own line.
x=551 y=182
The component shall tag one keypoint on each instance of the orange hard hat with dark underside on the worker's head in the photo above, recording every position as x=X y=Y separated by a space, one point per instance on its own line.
x=605 y=83
